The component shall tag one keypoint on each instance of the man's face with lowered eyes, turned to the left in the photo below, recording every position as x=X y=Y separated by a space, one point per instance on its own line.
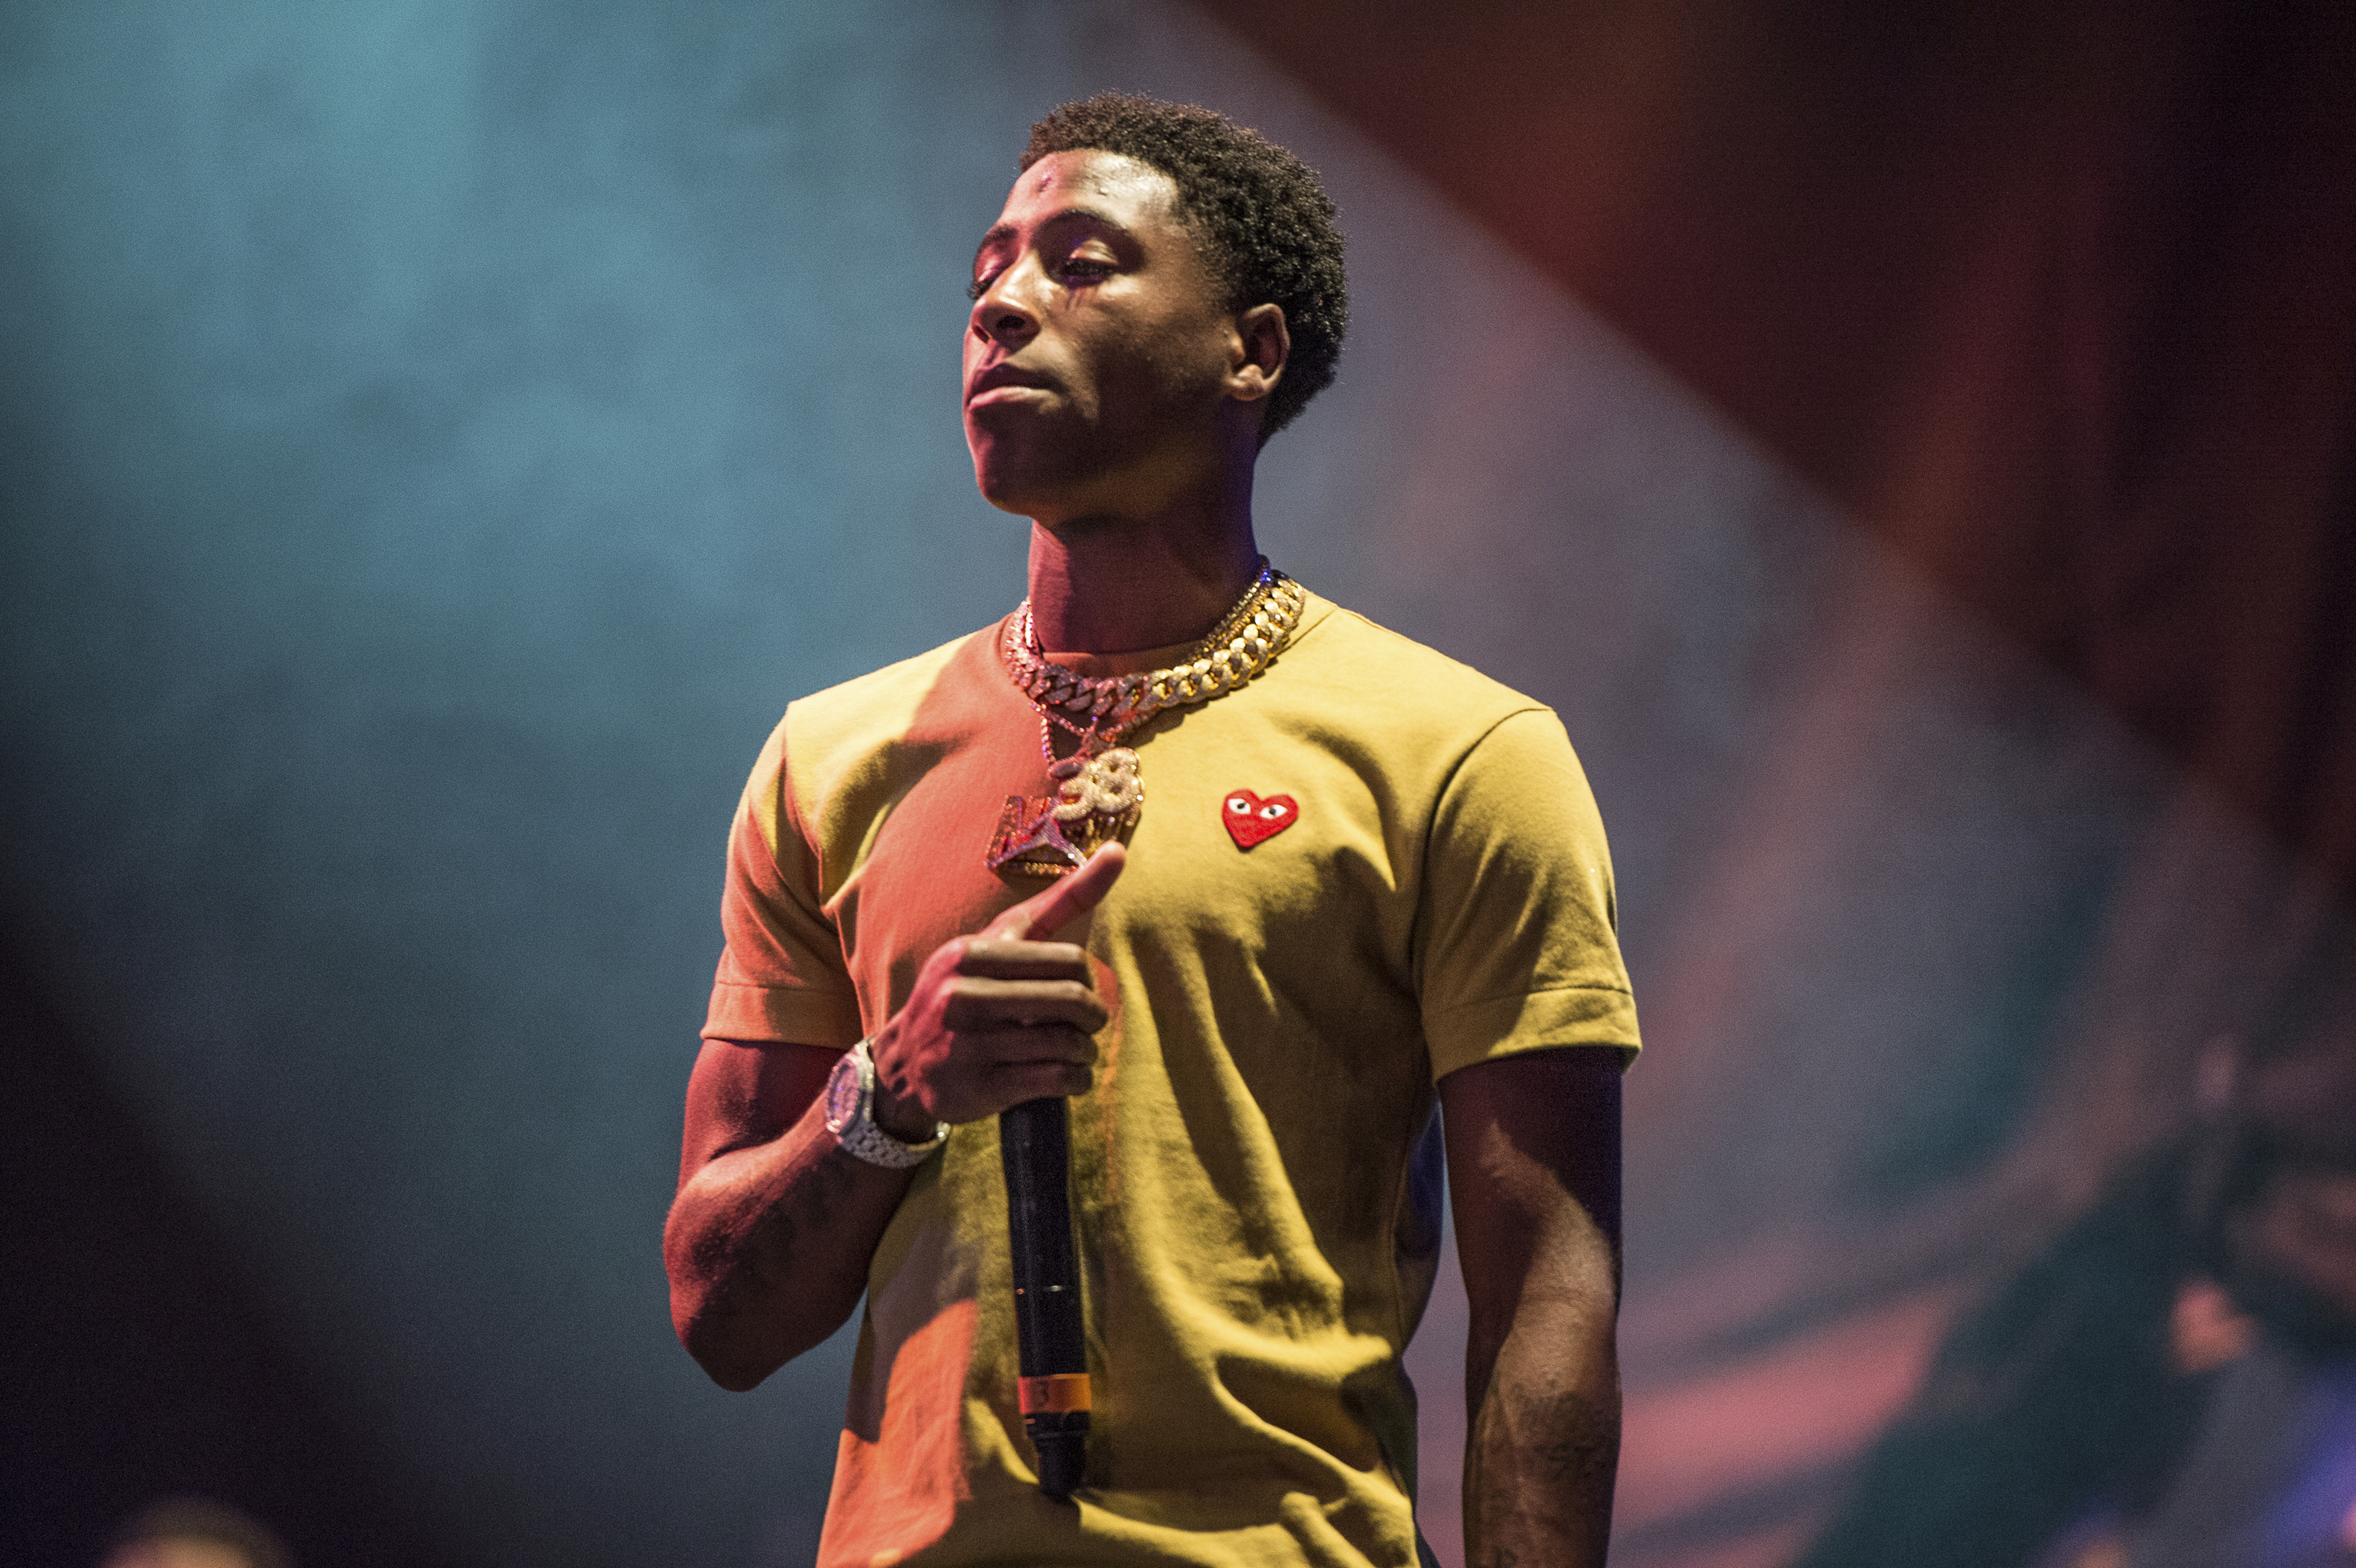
x=1099 y=347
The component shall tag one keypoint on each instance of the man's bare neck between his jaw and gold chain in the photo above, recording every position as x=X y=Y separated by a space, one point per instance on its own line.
x=1120 y=585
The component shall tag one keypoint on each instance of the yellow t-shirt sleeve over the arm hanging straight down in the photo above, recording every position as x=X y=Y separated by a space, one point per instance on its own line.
x=1518 y=948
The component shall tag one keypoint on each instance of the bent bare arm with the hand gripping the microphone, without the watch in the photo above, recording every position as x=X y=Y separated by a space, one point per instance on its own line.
x=774 y=1223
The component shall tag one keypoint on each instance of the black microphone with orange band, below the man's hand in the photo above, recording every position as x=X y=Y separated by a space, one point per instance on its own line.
x=1035 y=1141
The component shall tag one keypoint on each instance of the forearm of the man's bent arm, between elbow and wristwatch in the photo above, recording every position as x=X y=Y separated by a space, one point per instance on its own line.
x=769 y=1249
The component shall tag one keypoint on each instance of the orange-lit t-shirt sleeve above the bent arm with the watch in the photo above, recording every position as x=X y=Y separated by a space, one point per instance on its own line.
x=783 y=974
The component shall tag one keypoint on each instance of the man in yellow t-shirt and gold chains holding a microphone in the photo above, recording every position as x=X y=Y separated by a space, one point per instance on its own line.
x=1236 y=872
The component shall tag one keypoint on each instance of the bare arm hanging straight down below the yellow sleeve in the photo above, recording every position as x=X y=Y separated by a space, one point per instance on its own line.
x=1535 y=1190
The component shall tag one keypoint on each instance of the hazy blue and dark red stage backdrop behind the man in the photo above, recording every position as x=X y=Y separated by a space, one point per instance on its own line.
x=1910 y=444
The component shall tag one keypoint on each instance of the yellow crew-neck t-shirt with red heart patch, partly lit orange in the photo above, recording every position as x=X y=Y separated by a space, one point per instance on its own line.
x=1438 y=893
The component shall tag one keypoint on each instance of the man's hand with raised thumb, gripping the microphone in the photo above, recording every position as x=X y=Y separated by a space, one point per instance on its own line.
x=998 y=1018
